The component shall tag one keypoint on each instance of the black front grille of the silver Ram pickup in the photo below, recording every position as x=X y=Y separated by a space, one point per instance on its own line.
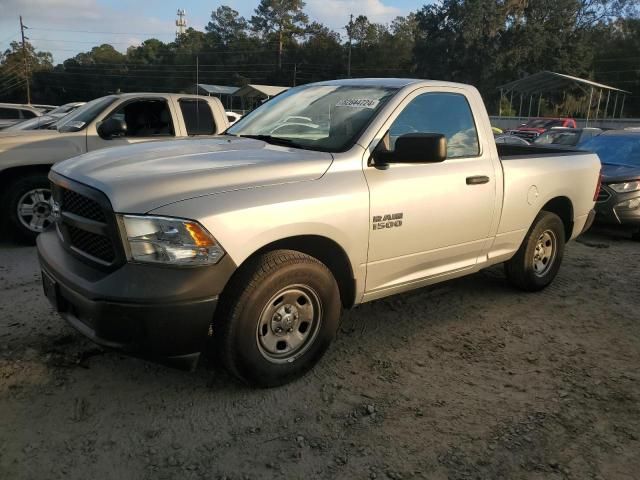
x=87 y=225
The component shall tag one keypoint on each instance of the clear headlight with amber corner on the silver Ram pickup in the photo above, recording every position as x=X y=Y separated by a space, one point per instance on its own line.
x=172 y=241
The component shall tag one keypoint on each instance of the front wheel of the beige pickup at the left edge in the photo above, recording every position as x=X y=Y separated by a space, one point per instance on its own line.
x=30 y=190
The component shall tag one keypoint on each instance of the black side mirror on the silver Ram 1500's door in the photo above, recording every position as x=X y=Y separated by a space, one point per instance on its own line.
x=414 y=148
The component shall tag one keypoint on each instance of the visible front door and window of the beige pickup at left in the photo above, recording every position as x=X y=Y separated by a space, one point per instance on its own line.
x=146 y=119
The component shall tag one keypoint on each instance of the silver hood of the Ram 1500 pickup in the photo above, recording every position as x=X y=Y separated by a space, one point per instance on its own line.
x=140 y=178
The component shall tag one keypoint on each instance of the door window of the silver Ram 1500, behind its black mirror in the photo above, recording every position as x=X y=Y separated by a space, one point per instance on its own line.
x=445 y=113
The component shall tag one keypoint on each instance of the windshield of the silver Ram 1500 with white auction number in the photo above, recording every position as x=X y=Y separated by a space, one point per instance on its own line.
x=319 y=117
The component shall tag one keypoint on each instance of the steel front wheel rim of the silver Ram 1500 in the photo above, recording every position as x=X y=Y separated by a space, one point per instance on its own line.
x=289 y=323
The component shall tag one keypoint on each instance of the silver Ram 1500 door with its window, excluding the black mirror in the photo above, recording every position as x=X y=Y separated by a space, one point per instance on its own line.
x=431 y=219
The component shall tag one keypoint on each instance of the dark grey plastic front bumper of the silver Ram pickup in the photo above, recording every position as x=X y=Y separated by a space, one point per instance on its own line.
x=156 y=312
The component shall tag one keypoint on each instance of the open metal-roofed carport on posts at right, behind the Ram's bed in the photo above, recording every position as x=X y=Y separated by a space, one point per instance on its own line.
x=546 y=82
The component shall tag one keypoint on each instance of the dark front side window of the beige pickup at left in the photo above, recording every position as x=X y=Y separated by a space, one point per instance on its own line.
x=146 y=118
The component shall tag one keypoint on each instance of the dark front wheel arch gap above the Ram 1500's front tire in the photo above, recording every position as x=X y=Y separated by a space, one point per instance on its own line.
x=324 y=249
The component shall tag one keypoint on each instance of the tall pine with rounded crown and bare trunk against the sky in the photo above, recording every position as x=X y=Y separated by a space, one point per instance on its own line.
x=283 y=19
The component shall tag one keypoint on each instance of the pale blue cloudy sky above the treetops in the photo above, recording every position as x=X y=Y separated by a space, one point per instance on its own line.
x=67 y=27
